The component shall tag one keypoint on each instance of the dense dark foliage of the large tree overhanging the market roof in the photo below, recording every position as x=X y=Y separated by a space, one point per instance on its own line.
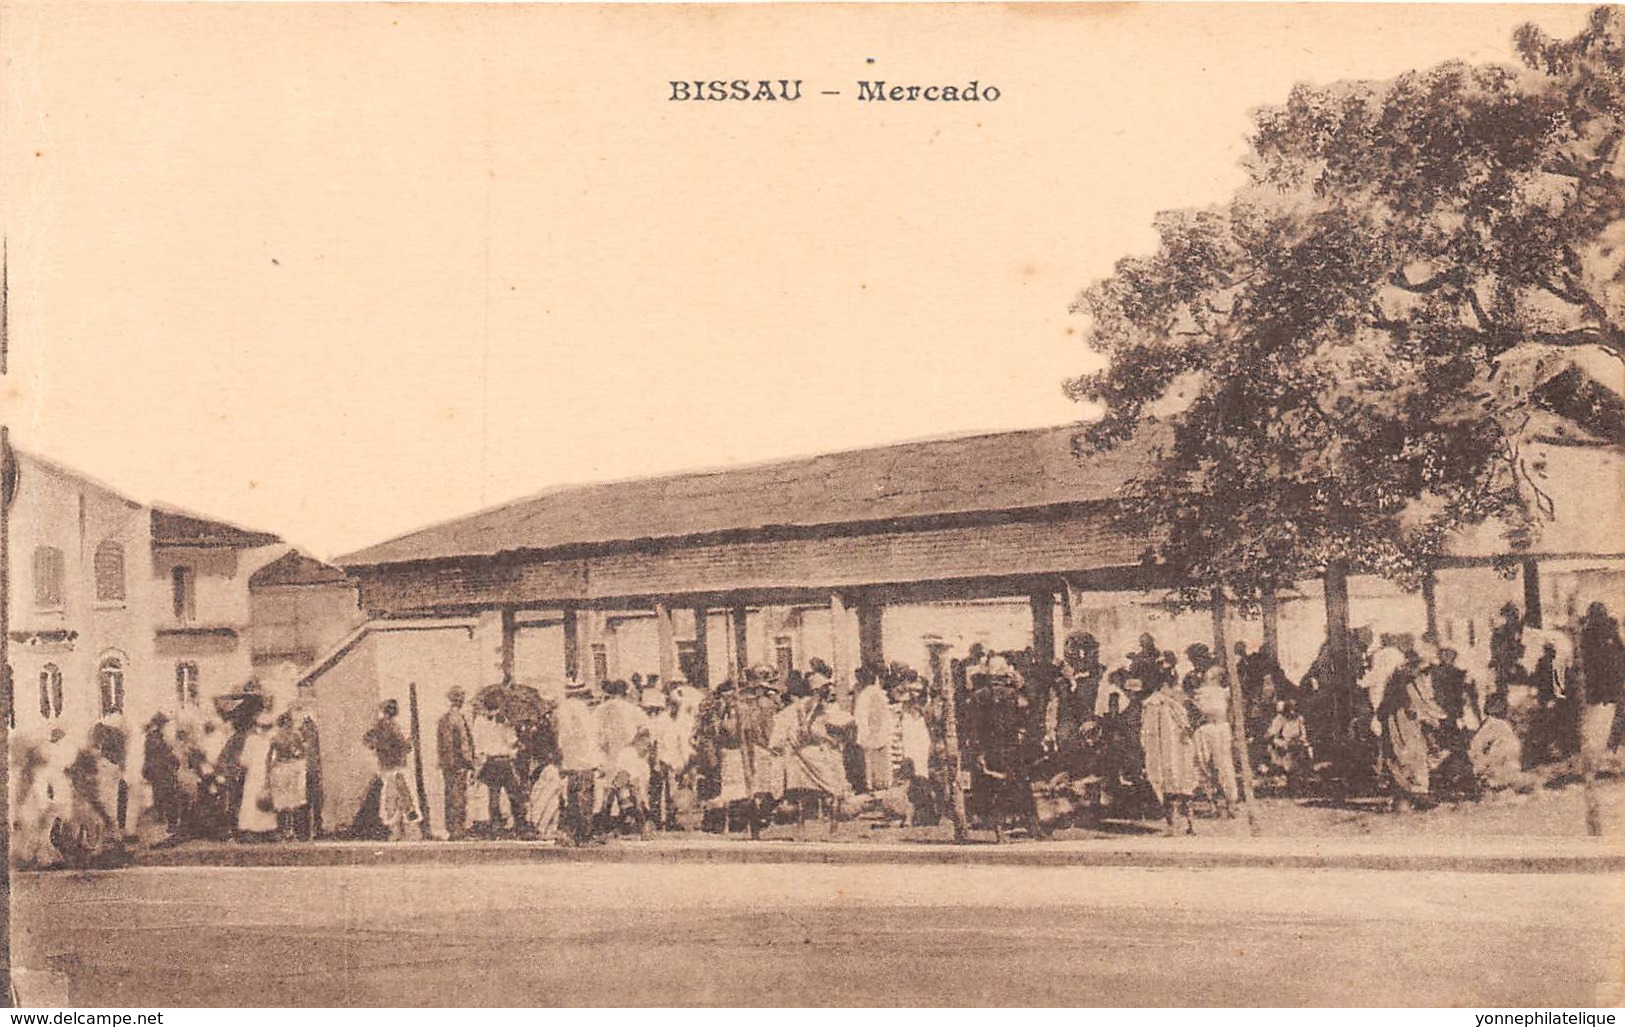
x=1364 y=329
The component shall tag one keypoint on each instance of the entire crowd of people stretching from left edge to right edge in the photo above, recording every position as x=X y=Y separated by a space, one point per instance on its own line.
x=1012 y=740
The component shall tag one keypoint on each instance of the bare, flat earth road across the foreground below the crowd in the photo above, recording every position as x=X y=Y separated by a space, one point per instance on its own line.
x=813 y=935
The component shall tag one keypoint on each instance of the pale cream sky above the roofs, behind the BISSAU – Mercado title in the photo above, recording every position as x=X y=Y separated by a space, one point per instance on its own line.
x=340 y=272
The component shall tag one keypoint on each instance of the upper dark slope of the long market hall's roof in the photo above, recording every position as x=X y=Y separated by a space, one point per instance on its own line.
x=932 y=479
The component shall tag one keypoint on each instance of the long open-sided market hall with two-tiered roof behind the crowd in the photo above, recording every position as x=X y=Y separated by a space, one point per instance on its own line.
x=904 y=553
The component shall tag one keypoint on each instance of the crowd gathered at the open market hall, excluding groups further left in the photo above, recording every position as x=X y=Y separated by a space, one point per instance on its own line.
x=1036 y=745
